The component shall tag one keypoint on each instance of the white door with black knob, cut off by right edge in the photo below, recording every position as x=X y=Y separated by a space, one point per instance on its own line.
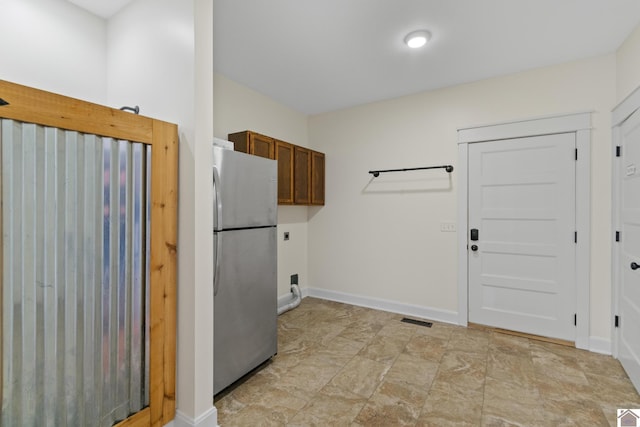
x=628 y=303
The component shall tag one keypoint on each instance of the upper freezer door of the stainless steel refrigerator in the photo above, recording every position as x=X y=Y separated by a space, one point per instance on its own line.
x=245 y=190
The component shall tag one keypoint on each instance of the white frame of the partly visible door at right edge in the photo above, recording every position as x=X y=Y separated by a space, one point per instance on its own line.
x=619 y=115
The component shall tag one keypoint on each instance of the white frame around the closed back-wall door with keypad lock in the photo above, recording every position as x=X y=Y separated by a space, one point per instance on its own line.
x=578 y=123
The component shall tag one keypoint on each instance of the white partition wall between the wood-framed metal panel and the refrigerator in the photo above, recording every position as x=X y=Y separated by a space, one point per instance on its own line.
x=160 y=57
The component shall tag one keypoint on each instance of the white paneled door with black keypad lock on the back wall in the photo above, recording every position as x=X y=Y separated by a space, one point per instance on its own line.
x=522 y=265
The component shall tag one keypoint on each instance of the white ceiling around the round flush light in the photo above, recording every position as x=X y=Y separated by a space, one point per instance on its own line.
x=321 y=55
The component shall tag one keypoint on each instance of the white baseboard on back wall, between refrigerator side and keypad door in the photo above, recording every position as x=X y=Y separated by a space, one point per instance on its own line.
x=428 y=313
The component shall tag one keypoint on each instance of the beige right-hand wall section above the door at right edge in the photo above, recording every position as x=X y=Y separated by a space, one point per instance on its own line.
x=628 y=66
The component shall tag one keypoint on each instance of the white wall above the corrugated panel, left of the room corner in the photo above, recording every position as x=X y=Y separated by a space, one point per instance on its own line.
x=53 y=45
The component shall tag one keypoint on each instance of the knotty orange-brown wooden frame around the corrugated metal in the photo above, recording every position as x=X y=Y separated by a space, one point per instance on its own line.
x=45 y=108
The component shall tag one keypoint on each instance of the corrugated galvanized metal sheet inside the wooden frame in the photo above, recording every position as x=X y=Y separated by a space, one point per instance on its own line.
x=75 y=224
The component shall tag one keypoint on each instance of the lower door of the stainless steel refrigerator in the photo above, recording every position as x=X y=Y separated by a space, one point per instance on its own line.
x=245 y=307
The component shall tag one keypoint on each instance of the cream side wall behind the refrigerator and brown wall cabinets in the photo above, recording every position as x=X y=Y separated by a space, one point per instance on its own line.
x=238 y=108
